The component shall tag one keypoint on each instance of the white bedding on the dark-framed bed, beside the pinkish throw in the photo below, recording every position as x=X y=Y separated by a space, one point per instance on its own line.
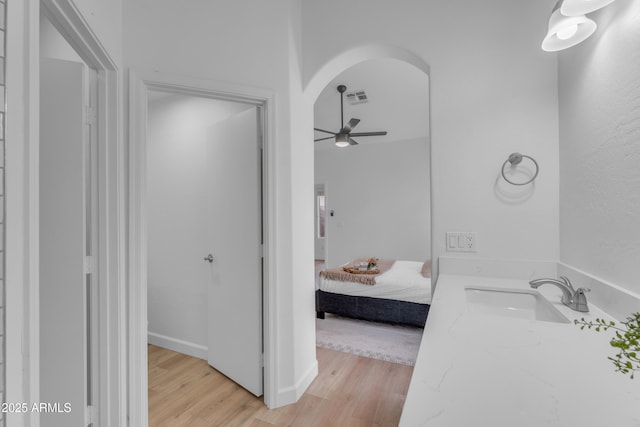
x=403 y=282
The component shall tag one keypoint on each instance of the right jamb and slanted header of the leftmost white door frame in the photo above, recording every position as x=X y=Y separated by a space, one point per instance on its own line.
x=68 y=20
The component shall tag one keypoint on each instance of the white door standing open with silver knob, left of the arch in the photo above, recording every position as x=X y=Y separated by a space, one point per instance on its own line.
x=235 y=238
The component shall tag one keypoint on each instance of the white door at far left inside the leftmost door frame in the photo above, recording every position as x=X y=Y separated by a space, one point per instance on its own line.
x=65 y=277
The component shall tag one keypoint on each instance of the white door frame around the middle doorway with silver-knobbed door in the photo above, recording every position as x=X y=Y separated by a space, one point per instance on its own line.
x=139 y=85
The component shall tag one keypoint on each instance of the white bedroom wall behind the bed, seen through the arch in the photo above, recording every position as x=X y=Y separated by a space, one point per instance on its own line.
x=379 y=194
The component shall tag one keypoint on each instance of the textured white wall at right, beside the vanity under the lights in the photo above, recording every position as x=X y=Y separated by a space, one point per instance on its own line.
x=599 y=91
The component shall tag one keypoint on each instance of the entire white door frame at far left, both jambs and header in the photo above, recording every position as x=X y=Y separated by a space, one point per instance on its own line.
x=22 y=208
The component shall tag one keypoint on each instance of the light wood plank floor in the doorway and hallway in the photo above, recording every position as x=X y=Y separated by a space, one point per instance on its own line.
x=349 y=391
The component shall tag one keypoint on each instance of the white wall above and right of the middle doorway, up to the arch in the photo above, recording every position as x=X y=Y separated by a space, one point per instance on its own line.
x=254 y=44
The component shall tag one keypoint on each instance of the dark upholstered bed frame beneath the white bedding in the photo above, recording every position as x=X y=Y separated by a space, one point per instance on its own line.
x=372 y=309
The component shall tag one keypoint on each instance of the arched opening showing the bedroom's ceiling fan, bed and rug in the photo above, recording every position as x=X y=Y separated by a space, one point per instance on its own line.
x=380 y=205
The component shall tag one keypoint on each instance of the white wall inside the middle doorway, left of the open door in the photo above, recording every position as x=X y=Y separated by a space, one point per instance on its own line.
x=177 y=189
